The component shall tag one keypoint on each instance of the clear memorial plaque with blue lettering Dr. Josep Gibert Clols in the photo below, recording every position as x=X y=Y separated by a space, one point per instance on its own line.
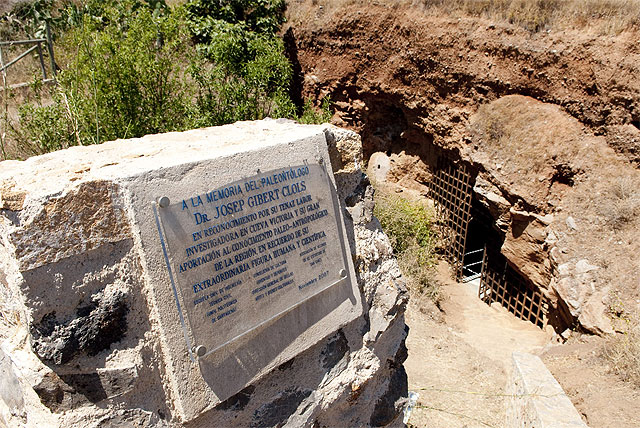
x=247 y=252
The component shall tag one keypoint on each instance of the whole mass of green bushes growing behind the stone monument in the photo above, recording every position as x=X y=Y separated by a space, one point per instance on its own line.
x=136 y=67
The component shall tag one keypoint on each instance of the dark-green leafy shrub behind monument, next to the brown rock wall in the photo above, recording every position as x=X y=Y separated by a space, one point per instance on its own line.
x=243 y=73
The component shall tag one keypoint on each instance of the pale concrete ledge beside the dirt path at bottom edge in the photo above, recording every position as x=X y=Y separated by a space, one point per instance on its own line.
x=537 y=399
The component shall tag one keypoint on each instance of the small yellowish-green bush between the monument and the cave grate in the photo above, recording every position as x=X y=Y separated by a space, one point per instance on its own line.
x=409 y=225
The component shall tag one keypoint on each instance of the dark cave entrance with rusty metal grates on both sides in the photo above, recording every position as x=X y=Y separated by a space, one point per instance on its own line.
x=472 y=244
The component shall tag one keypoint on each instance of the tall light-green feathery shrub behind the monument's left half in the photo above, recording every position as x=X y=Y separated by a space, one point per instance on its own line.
x=124 y=81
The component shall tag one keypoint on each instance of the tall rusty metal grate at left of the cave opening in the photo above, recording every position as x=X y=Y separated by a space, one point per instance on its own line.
x=451 y=190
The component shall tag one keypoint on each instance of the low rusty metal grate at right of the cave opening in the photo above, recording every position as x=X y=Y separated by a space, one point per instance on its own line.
x=505 y=286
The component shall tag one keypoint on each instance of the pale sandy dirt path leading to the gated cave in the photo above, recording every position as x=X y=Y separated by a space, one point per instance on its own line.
x=459 y=363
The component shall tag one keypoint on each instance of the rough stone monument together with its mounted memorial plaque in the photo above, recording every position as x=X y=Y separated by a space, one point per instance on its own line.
x=232 y=276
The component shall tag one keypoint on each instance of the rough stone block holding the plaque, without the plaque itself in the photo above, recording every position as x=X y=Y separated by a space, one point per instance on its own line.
x=92 y=338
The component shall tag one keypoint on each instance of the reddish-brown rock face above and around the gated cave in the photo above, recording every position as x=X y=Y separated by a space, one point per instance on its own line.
x=417 y=85
